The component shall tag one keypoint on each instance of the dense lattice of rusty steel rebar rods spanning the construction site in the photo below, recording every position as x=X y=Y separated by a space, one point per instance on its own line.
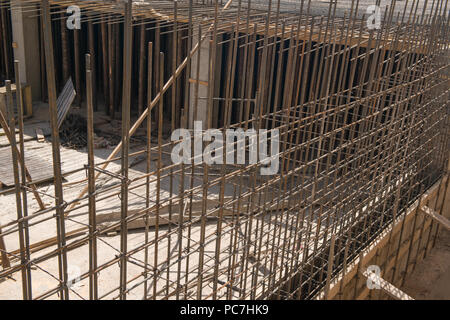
x=362 y=115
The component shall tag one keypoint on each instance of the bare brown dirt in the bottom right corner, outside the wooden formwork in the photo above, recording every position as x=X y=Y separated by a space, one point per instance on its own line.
x=431 y=278
